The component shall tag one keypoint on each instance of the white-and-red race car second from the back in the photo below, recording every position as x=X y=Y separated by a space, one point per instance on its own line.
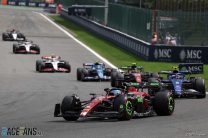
x=26 y=47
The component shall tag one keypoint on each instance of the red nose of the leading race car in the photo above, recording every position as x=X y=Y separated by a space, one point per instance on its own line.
x=93 y=103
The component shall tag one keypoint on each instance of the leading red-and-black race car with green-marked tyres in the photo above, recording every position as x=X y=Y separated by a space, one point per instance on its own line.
x=122 y=104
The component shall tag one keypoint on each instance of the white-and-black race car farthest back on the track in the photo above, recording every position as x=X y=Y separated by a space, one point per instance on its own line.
x=13 y=35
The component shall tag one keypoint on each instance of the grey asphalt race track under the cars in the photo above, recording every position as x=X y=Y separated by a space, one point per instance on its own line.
x=27 y=98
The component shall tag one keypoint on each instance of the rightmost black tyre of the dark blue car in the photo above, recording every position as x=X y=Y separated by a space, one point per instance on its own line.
x=199 y=86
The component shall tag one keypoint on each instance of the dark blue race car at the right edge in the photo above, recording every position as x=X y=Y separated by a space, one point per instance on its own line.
x=183 y=86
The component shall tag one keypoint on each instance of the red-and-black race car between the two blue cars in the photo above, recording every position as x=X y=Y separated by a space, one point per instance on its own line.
x=132 y=74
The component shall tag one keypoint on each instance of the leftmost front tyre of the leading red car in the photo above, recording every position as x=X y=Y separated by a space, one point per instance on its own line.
x=70 y=103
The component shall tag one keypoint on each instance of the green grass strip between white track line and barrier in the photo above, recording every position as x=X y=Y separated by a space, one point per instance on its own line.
x=111 y=52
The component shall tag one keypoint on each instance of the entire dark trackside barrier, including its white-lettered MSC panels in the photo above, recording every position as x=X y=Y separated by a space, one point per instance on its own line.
x=142 y=49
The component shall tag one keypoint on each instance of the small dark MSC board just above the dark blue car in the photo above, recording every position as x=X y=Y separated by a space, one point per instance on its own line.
x=193 y=68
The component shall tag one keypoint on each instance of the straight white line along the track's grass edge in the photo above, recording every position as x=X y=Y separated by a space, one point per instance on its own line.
x=82 y=44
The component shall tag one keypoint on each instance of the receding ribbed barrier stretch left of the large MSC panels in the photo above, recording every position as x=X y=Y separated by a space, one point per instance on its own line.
x=135 y=46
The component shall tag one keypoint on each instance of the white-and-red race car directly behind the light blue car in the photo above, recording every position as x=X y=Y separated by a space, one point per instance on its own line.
x=52 y=64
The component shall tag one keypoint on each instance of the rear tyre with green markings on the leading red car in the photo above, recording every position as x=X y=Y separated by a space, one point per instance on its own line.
x=164 y=103
